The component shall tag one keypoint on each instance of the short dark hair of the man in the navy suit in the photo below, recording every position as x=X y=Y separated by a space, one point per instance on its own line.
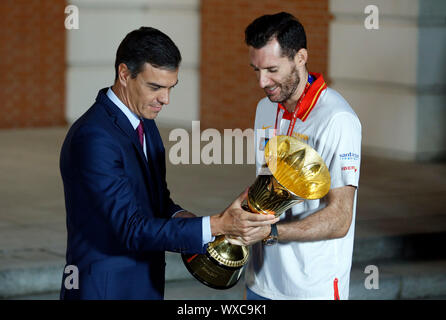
x=150 y=45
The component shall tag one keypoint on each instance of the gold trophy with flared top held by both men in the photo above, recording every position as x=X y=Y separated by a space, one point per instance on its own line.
x=296 y=173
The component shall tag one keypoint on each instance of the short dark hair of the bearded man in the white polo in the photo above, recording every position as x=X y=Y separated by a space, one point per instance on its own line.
x=283 y=26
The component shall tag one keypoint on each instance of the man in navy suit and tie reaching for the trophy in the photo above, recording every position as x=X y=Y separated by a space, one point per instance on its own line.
x=120 y=217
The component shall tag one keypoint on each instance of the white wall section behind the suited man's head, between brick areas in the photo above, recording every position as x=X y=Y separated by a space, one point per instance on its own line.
x=103 y=24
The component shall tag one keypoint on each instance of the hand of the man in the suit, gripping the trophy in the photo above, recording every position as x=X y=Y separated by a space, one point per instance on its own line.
x=236 y=222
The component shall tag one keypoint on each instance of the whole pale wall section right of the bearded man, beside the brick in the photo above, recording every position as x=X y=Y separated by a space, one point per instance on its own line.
x=377 y=72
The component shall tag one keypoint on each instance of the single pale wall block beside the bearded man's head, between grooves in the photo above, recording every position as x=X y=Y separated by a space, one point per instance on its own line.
x=388 y=54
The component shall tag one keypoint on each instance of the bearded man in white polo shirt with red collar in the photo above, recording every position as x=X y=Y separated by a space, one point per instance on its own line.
x=311 y=258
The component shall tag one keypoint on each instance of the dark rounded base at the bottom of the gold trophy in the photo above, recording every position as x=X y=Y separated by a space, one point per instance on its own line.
x=210 y=272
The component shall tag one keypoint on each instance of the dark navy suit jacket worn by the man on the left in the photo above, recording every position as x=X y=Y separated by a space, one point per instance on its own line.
x=119 y=208
